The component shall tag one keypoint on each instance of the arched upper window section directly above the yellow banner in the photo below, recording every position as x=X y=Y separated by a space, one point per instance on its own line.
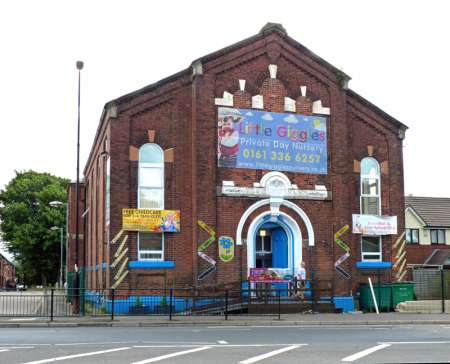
x=151 y=177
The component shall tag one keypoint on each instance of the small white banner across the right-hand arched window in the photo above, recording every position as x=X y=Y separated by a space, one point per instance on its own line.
x=374 y=225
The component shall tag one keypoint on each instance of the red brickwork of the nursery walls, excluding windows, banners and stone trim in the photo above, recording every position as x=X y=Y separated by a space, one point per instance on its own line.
x=182 y=113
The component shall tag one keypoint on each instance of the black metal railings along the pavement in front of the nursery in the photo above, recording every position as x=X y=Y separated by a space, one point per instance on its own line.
x=255 y=299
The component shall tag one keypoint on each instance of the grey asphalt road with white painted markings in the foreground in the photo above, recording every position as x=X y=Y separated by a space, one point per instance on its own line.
x=216 y=344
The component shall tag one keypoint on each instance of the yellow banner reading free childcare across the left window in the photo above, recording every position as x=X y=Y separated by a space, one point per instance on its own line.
x=155 y=221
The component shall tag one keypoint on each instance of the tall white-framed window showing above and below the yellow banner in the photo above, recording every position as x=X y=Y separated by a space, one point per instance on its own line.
x=151 y=196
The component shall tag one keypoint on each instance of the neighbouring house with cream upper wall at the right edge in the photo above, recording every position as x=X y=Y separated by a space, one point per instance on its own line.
x=427 y=222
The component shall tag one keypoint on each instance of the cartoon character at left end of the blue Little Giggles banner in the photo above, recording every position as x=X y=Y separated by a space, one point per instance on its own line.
x=228 y=140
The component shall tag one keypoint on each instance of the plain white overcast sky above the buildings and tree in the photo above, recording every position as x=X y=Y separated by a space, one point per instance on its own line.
x=397 y=53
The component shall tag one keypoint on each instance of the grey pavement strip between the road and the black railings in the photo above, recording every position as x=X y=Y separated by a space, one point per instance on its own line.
x=320 y=319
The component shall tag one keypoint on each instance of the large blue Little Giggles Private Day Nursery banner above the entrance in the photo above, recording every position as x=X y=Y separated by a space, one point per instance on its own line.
x=269 y=140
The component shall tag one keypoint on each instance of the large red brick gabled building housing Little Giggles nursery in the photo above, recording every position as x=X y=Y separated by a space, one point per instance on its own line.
x=172 y=146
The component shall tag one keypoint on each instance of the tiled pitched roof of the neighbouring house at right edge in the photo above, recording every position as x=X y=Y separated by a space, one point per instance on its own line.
x=434 y=211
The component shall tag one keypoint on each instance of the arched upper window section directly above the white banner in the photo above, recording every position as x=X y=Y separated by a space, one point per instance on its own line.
x=370 y=187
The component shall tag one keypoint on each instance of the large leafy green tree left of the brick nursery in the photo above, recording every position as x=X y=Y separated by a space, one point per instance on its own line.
x=25 y=220
